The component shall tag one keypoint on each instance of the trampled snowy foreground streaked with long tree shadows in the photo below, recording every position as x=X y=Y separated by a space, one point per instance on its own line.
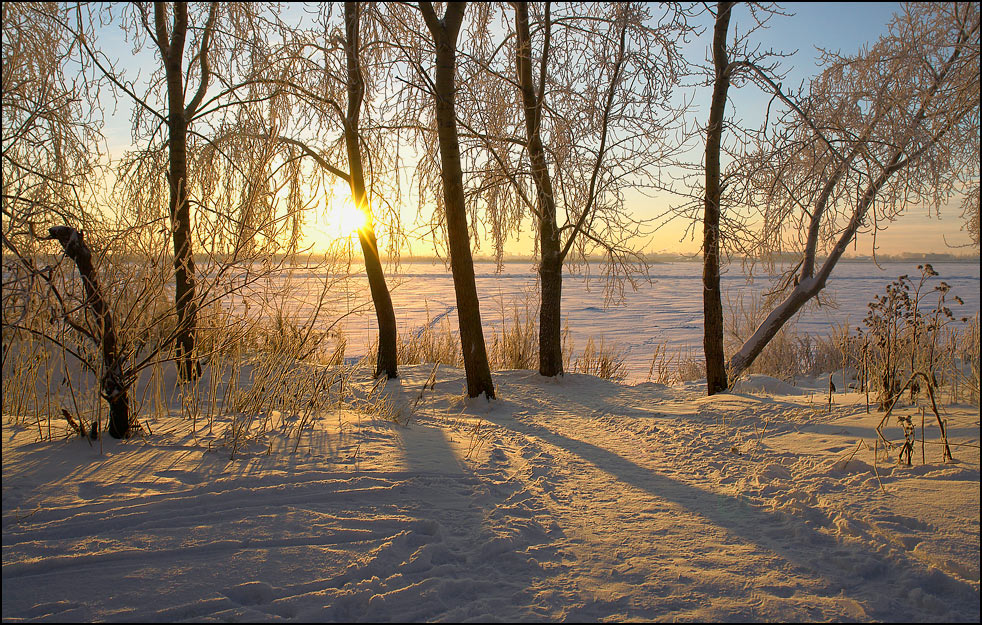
x=564 y=499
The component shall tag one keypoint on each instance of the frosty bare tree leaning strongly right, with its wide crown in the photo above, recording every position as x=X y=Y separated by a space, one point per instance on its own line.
x=894 y=126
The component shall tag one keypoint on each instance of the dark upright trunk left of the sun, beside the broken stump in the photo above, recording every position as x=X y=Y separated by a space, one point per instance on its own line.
x=172 y=50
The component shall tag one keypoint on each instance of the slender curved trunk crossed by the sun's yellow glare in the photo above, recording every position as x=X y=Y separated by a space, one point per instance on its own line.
x=387 y=361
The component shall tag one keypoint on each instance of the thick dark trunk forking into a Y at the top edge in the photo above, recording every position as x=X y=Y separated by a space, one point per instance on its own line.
x=476 y=366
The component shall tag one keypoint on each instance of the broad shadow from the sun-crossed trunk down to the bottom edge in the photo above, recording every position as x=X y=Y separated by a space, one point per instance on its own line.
x=472 y=565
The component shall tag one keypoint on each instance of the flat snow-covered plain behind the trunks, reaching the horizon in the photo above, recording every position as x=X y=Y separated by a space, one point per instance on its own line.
x=666 y=311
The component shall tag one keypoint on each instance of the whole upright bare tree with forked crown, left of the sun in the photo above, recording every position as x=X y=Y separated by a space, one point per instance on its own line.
x=170 y=116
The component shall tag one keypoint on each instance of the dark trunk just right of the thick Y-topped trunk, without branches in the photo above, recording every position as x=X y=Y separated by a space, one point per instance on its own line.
x=551 y=260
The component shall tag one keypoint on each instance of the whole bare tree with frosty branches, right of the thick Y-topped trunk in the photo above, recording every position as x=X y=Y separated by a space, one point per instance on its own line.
x=593 y=84
